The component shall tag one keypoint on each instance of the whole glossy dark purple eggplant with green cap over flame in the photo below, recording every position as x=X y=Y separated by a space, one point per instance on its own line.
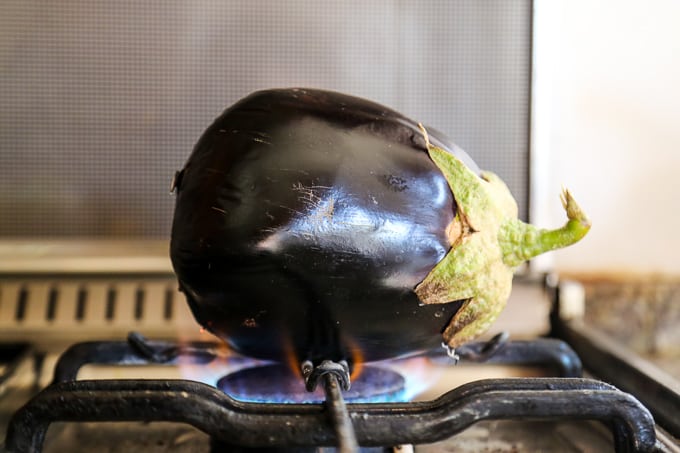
x=313 y=225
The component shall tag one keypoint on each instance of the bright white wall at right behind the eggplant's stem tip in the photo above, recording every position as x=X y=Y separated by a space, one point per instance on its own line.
x=607 y=125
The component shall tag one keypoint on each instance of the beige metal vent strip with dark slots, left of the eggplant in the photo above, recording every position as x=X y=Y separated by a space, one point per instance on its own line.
x=70 y=308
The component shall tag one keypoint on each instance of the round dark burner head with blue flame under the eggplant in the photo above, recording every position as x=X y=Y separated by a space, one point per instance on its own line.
x=276 y=383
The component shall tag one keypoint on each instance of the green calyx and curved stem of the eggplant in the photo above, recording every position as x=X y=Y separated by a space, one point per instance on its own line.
x=487 y=242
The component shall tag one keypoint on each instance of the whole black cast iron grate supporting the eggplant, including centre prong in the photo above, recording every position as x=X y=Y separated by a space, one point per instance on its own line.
x=267 y=425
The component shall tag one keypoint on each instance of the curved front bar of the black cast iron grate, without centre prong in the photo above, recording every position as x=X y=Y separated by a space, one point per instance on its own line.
x=375 y=424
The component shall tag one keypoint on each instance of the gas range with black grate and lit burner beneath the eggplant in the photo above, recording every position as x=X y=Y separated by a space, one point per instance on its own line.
x=189 y=395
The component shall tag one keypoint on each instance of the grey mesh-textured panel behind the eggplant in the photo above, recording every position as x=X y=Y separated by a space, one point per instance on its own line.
x=102 y=101
